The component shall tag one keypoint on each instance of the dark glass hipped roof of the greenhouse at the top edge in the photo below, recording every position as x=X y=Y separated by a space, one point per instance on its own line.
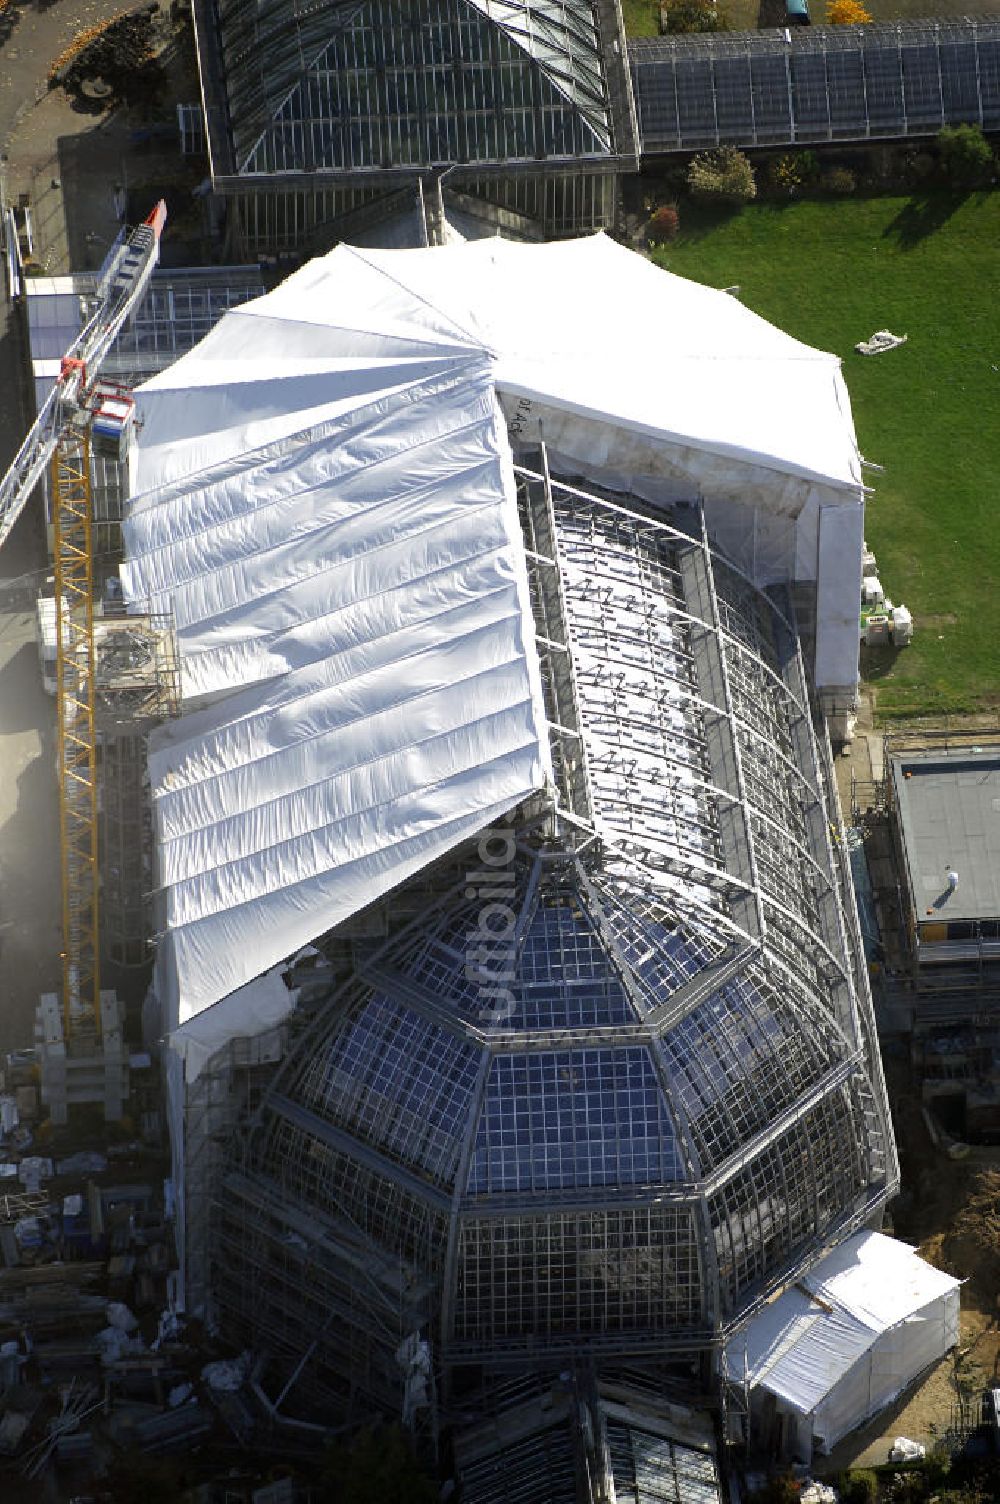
x=357 y=88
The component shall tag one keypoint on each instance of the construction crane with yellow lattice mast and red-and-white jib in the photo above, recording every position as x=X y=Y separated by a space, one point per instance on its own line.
x=61 y=438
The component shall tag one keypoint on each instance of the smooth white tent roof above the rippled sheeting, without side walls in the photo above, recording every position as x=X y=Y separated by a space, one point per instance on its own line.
x=584 y=329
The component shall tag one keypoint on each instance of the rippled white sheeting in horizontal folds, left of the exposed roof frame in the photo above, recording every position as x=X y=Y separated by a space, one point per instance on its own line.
x=368 y=589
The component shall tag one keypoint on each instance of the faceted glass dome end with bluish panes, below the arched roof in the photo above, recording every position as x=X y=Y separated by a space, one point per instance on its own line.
x=622 y=1141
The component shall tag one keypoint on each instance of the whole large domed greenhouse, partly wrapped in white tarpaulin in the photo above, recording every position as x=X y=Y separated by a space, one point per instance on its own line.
x=517 y=1014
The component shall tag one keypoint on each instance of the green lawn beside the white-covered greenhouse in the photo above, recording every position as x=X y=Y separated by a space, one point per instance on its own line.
x=831 y=273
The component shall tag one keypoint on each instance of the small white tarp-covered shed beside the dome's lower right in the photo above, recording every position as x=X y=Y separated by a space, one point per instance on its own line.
x=850 y=1336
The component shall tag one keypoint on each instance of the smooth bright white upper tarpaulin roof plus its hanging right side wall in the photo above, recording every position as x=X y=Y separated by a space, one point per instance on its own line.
x=629 y=371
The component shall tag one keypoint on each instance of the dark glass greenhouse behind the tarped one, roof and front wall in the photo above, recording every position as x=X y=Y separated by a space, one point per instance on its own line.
x=336 y=121
